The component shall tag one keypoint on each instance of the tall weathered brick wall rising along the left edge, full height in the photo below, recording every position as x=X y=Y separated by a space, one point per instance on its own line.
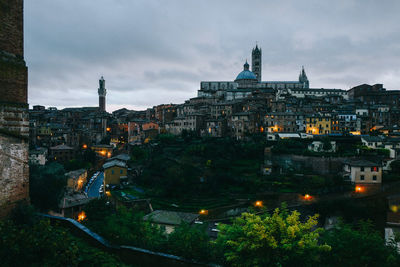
x=14 y=121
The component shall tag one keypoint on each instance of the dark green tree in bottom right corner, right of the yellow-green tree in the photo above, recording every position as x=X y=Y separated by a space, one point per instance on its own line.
x=358 y=245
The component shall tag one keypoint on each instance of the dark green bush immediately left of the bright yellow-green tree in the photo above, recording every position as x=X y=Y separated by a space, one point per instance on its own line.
x=191 y=242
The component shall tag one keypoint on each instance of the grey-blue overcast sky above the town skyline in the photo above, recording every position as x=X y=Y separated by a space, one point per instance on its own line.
x=153 y=51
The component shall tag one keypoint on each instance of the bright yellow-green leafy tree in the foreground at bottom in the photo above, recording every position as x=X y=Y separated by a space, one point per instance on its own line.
x=279 y=239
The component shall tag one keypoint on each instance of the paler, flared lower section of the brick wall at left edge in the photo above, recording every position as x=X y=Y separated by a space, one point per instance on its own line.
x=14 y=171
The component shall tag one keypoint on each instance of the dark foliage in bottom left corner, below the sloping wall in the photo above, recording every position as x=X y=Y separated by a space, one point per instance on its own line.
x=41 y=244
